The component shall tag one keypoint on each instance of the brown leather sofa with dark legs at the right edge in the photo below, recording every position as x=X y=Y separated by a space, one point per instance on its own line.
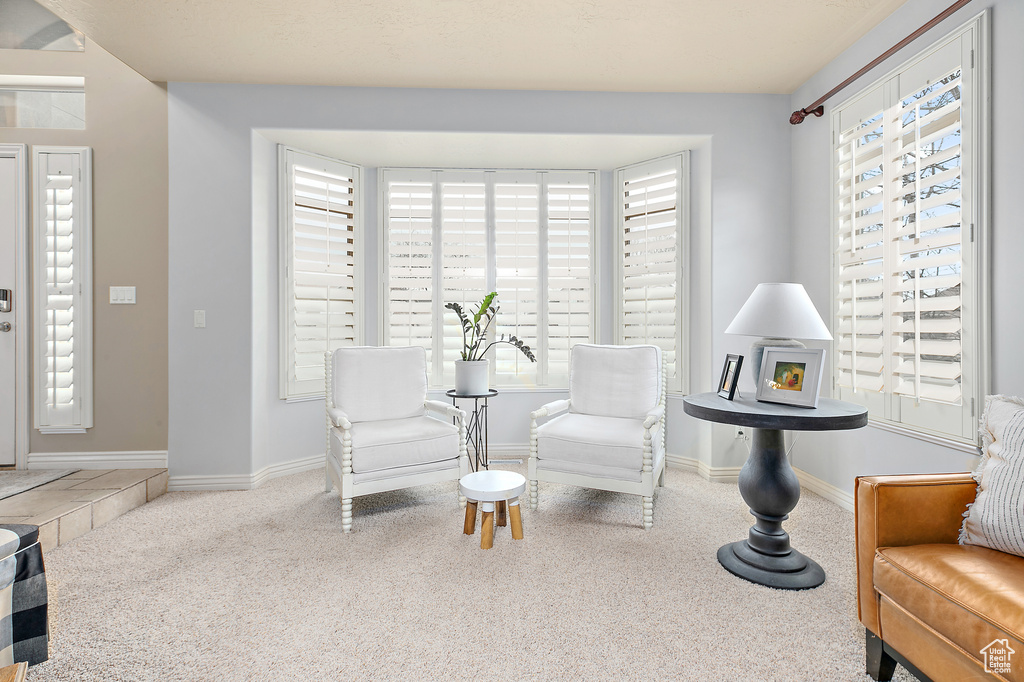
x=926 y=602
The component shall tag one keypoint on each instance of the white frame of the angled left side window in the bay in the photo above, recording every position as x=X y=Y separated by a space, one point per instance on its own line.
x=287 y=158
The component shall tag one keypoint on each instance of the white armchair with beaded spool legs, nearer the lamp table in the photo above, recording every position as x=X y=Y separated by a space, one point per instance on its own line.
x=612 y=437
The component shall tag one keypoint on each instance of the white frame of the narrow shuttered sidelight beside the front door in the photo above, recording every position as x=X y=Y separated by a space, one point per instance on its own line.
x=46 y=421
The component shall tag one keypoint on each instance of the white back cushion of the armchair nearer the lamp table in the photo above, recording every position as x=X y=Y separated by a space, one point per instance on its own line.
x=615 y=381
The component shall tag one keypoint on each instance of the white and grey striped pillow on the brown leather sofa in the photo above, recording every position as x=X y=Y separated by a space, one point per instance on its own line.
x=996 y=520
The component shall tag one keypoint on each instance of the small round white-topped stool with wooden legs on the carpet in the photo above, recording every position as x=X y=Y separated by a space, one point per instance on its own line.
x=499 y=492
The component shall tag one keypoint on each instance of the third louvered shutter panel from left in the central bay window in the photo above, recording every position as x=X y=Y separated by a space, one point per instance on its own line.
x=518 y=272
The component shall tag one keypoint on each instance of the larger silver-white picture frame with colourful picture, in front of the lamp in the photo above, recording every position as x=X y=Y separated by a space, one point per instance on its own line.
x=791 y=376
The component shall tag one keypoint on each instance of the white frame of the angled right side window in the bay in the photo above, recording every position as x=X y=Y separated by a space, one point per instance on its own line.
x=678 y=386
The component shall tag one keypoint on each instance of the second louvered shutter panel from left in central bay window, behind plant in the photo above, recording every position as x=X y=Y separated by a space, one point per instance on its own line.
x=464 y=259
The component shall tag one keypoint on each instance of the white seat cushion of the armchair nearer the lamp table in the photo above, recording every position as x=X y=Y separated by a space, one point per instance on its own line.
x=605 y=442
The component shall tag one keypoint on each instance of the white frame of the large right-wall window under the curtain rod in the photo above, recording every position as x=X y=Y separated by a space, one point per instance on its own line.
x=975 y=212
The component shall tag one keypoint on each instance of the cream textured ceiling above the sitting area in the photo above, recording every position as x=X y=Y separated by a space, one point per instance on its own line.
x=754 y=47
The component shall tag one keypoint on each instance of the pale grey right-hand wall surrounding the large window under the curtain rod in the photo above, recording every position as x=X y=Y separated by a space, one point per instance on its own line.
x=838 y=458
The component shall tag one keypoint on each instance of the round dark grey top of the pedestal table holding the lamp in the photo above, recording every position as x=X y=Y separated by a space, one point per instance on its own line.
x=829 y=416
